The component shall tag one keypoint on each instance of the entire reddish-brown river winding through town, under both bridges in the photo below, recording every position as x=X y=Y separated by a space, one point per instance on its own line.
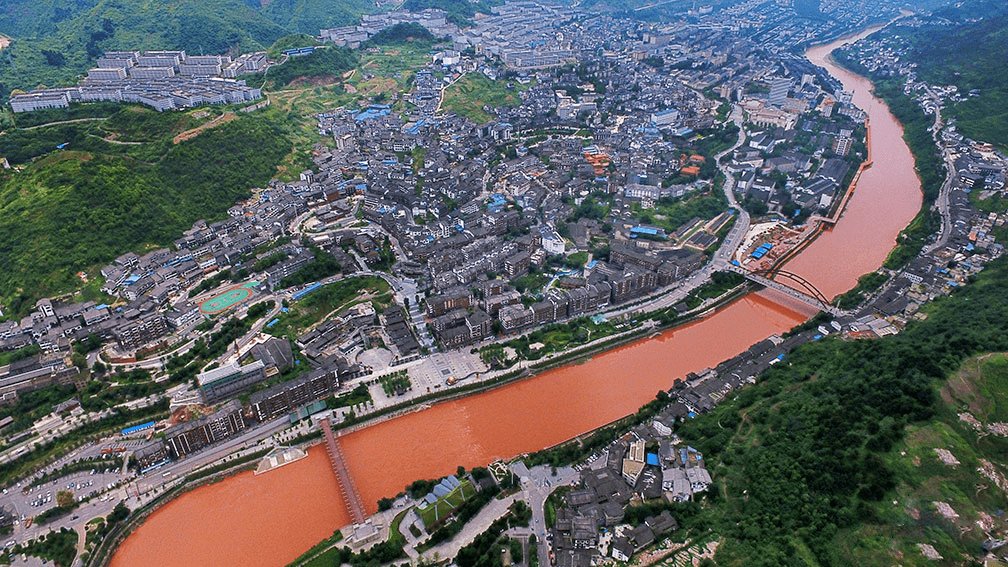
x=270 y=520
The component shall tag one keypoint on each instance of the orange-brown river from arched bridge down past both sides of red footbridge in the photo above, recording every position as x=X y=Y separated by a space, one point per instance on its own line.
x=269 y=520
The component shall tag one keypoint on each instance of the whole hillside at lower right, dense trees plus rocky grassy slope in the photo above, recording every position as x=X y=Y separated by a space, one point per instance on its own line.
x=824 y=462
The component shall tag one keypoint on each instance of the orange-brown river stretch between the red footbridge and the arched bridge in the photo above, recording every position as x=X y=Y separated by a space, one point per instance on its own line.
x=556 y=406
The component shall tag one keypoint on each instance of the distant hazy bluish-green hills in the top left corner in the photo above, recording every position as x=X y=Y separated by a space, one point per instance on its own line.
x=56 y=42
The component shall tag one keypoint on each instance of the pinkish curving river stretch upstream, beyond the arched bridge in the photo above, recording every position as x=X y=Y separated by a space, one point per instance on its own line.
x=887 y=198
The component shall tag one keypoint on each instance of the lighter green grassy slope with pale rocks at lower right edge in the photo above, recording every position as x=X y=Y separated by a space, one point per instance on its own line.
x=967 y=485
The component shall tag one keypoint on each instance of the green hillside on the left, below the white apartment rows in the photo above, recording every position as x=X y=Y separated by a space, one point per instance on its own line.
x=120 y=184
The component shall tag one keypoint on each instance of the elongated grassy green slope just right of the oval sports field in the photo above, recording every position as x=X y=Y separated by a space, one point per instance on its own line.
x=318 y=305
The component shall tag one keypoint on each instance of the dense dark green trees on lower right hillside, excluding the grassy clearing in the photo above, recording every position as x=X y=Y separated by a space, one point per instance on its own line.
x=807 y=456
